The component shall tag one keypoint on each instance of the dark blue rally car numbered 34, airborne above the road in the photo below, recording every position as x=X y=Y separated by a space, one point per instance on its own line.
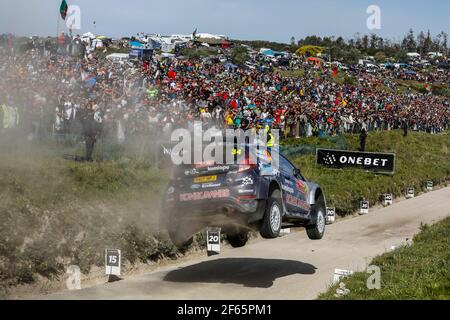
x=241 y=197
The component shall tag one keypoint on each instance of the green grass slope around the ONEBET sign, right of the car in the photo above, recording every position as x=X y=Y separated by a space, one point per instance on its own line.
x=420 y=157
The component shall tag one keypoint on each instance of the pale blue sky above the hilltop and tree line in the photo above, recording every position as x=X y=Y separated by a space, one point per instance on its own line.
x=275 y=20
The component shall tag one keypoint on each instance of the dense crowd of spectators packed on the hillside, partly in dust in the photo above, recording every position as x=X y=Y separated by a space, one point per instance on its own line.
x=52 y=89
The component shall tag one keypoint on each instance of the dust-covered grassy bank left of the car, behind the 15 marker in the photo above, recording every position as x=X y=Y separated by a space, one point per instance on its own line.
x=54 y=213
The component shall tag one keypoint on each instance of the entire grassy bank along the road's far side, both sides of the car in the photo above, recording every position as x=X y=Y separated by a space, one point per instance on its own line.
x=54 y=213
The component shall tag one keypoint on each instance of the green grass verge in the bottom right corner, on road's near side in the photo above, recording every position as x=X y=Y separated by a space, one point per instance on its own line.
x=420 y=271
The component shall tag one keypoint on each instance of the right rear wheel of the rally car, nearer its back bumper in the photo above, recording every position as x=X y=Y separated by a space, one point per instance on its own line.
x=271 y=224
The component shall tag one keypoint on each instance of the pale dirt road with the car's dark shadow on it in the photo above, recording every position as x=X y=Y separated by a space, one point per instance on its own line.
x=290 y=267
